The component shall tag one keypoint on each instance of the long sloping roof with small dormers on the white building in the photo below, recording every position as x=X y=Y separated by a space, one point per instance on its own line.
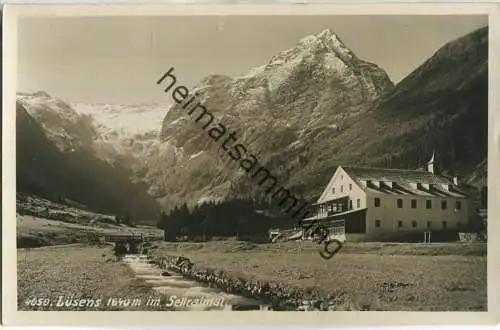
x=404 y=182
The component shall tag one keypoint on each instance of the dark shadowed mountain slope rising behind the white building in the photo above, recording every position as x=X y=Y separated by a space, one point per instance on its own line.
x=442 y=106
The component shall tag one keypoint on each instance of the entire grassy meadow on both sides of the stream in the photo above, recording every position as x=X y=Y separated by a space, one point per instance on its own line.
x=369 y=276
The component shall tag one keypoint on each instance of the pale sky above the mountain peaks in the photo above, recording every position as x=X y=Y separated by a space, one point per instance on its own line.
x=119 y=59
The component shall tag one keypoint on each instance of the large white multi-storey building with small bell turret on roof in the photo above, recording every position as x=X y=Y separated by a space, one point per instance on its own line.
x=361 y=201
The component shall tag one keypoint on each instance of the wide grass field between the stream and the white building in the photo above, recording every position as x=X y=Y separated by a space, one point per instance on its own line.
x=375 y=279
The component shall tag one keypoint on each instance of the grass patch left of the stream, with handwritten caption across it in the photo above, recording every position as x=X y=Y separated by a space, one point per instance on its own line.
x=76 y=272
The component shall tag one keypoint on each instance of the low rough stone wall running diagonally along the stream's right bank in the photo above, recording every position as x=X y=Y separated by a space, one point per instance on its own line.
x=275 y=295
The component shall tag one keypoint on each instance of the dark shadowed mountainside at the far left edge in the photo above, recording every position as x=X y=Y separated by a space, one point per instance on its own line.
x=49 y=170
